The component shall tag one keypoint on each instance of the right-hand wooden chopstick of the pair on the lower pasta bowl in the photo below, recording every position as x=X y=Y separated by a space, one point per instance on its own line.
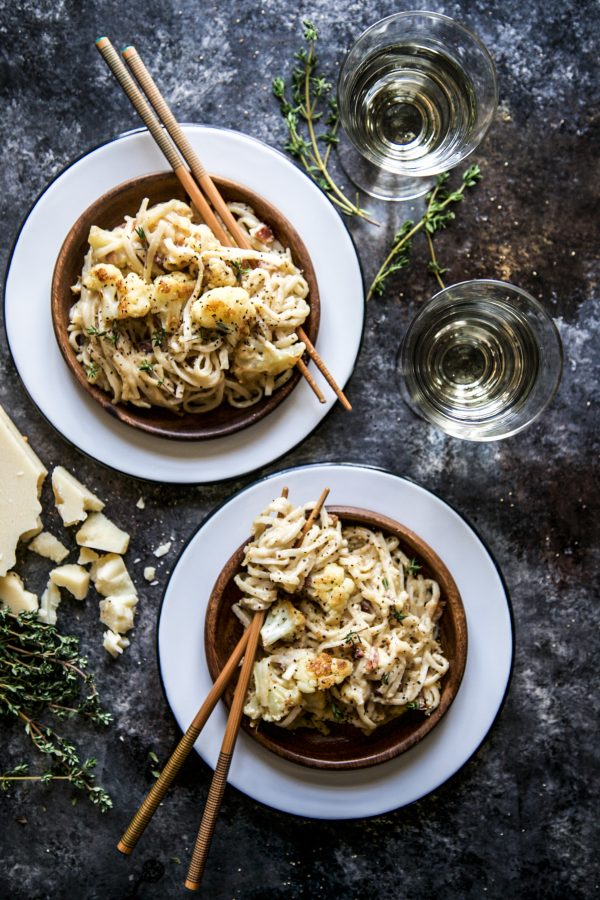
x=219 y=781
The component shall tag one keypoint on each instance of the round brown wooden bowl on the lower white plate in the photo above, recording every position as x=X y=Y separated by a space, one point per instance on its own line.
x=345 y=747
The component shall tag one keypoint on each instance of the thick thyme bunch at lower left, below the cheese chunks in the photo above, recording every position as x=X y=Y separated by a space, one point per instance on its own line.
x=41 y=671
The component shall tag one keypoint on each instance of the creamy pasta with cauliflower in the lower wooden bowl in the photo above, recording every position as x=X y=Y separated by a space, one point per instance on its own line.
x=351 y=629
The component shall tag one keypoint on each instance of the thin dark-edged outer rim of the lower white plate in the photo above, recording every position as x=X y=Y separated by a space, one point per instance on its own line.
x=464 y=518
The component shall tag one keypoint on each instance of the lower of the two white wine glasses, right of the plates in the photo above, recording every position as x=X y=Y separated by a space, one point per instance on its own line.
x=481 y=360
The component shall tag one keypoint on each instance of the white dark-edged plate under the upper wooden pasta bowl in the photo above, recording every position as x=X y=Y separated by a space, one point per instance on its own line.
x=82 y=421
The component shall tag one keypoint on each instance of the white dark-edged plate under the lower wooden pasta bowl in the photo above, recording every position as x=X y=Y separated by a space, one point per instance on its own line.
x=367 y=792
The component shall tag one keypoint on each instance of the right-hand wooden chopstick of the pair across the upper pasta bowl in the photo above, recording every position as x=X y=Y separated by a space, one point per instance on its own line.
x=161 y=107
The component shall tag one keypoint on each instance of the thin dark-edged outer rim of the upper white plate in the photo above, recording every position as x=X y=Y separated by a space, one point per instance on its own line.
x=181 y=479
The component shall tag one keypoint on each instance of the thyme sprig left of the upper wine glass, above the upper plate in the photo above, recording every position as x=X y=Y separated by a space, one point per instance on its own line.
x=311 y=100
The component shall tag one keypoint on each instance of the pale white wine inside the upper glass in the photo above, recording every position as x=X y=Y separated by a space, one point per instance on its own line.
x=410 y=108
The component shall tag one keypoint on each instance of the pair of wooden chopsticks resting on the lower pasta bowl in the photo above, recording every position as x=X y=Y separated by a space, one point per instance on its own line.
x=246 y=648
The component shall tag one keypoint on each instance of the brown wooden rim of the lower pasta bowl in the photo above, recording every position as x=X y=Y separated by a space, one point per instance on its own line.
x=453 y=601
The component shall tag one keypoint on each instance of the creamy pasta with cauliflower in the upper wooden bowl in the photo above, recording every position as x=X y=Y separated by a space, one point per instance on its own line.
x=168 y=316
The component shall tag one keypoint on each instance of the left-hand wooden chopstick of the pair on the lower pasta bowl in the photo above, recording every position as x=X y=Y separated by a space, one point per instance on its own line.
x=157 y=792
